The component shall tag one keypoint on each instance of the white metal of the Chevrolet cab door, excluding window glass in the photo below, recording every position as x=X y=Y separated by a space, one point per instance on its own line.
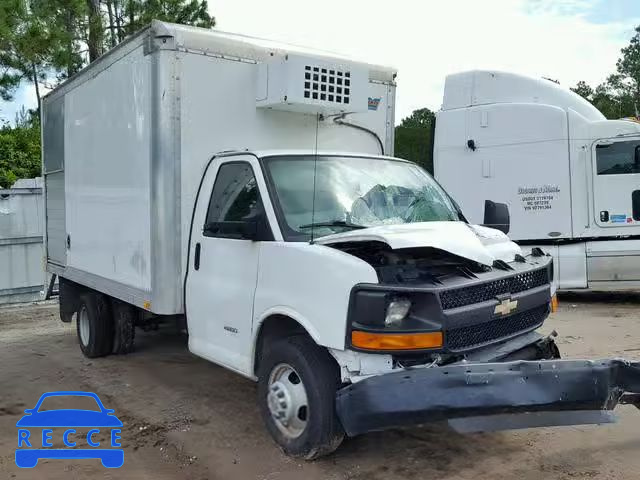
x=220 y=325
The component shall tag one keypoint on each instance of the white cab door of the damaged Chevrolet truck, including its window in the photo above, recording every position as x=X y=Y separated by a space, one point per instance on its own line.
x=228 y=223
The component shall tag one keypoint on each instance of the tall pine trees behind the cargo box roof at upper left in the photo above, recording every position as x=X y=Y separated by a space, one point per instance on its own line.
x=48 y=40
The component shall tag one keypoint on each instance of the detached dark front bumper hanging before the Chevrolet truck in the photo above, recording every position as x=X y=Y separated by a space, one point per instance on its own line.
x=492 y=396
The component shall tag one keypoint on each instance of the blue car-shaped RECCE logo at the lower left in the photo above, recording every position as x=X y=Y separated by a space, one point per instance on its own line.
x=32 y=446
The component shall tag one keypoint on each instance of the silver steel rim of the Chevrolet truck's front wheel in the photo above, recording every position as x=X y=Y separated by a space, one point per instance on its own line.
x=287 y=400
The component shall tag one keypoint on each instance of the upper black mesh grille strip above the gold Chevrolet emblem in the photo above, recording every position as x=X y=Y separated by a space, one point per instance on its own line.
x=459 y=297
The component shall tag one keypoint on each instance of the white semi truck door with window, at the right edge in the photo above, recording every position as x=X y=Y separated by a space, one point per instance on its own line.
x=616 y=184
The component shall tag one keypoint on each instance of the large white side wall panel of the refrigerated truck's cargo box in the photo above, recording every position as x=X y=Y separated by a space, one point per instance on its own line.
x=107 y=154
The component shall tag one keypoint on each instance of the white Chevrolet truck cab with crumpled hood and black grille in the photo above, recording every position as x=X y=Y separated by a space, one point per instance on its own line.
x=330 y=241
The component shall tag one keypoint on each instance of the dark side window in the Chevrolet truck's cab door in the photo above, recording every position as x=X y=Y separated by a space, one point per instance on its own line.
x=235 y=202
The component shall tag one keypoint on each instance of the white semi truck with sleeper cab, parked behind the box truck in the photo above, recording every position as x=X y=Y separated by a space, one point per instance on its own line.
x=570 y=177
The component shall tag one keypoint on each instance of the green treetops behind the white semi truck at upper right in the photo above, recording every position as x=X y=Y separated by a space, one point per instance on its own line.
x=619 y=95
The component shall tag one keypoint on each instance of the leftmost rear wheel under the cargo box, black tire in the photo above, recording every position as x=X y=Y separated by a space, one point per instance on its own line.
x=94 y=325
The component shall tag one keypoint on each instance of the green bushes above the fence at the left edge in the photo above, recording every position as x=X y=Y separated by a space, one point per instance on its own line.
x=20 y=149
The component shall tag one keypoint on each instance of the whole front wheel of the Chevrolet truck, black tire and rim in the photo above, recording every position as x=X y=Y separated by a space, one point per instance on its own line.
x=313 y=430
